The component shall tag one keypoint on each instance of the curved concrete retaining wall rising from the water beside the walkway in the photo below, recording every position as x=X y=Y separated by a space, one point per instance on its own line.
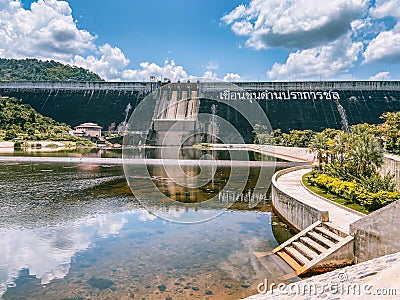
x=297 y=213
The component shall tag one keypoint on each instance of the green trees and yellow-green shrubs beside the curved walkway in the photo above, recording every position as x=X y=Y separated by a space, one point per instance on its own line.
x=348 y=161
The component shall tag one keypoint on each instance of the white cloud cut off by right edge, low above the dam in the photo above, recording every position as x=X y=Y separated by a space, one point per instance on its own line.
x=385 y=47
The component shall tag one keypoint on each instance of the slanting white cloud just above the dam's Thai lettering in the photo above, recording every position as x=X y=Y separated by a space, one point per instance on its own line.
x=324 y=61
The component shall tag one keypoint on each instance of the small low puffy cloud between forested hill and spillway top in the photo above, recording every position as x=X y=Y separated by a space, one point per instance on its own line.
x=169 y=70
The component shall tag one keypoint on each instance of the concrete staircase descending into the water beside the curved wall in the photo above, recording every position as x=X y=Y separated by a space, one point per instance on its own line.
x=318 y=248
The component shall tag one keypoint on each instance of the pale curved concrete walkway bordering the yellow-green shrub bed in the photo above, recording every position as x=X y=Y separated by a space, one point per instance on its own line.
x=290 y=184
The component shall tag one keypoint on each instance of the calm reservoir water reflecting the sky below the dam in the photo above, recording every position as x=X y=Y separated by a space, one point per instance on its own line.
x=77 y=232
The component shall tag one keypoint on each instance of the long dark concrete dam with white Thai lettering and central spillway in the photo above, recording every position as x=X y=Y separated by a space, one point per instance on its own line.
x=288 y=105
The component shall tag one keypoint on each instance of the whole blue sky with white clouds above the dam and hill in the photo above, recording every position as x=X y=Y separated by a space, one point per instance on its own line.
x=233 y=40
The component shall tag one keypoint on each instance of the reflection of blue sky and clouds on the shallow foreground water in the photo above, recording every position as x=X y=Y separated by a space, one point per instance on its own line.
x=137 y=254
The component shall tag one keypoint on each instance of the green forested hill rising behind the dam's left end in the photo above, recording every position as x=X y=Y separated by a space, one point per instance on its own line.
x=37 y=70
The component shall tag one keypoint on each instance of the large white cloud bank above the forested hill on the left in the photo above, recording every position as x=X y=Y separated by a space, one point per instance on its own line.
x=48 y=31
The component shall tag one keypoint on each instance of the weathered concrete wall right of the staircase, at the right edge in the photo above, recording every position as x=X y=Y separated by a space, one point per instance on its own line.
x=377 y=234
